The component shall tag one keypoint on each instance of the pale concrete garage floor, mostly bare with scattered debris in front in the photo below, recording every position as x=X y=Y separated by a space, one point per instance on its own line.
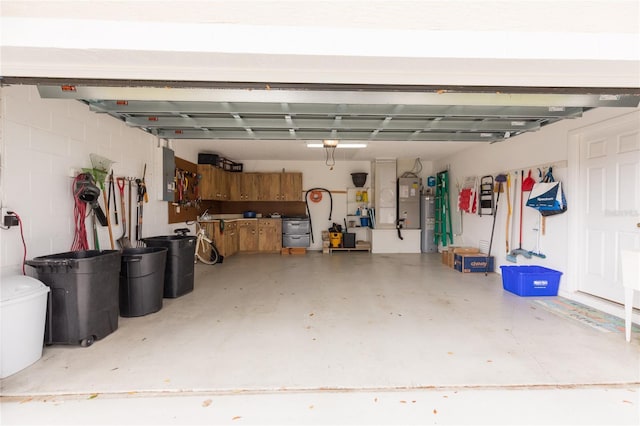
x=348 y=338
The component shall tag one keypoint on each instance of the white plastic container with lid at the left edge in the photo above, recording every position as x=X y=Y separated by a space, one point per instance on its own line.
x=23 y=309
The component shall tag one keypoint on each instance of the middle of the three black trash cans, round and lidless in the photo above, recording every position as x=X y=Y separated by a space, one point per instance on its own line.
x=142 y=280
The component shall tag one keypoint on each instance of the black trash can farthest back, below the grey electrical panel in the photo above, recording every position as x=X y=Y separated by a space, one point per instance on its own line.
x=178 y=275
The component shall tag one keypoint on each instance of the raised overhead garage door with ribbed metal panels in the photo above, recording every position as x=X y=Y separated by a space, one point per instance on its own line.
x=255 y=112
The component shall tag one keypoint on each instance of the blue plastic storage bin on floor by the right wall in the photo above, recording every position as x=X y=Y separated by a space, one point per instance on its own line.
x=530 y=280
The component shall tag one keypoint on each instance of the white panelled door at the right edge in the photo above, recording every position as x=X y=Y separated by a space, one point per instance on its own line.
x=610 y=184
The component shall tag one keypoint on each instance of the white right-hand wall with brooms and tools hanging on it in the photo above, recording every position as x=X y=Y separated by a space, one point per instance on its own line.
x=545 y=147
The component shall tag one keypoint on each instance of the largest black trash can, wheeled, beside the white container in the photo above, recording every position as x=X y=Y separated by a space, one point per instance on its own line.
x=83 y=303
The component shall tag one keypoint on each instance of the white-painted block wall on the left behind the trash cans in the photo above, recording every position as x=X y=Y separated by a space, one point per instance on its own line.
x=41 y=141
